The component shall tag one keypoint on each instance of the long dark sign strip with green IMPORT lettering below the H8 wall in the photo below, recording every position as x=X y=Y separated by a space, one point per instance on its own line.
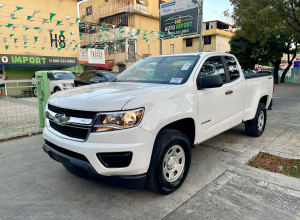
x=25 y=60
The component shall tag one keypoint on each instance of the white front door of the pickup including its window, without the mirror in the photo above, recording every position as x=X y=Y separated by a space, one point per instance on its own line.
x=215 y=104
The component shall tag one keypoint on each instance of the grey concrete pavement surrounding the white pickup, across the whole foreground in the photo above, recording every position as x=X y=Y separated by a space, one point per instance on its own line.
x=33 y=186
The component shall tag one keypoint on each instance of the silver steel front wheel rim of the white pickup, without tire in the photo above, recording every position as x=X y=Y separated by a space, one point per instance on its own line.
x=173 y=163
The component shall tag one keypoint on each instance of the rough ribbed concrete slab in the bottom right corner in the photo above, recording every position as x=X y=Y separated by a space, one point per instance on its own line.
x=233 y=196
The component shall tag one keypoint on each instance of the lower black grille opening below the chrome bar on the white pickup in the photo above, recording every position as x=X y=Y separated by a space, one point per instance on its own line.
x=73 y=132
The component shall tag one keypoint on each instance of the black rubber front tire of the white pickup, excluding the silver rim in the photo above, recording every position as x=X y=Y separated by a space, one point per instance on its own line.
x=167 y=139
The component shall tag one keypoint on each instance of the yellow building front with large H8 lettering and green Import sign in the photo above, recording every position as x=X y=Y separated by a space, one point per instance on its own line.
x=38 y=35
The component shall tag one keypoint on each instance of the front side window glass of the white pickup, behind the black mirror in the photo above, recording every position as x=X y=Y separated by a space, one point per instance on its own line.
x=213 y=66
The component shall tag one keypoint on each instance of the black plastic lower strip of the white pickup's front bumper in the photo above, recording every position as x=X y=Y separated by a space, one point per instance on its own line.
x=85 y=170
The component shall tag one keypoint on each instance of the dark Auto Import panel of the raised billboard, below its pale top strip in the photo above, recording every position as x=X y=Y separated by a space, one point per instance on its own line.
x=180 y=23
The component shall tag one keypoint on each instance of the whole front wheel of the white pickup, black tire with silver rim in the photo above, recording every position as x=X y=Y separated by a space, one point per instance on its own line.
x=170 y=162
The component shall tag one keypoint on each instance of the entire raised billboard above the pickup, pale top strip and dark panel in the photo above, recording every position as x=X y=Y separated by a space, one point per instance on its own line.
x=179 y=18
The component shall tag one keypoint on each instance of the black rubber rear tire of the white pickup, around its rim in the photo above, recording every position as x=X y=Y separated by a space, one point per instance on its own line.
x=252 y=127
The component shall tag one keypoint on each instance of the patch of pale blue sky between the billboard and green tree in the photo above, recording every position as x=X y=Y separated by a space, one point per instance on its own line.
x=213 y=10
